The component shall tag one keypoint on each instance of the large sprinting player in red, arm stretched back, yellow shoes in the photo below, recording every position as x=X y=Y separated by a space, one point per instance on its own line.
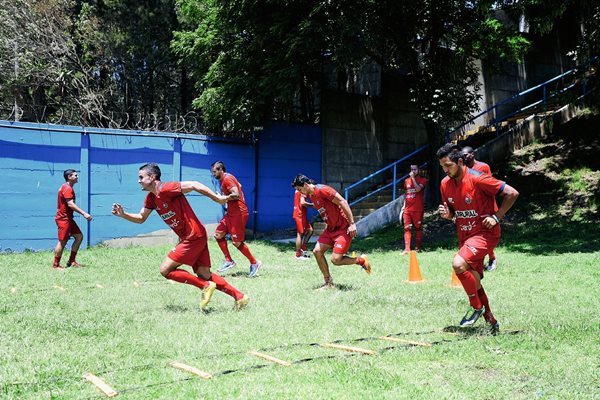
x=169 y=201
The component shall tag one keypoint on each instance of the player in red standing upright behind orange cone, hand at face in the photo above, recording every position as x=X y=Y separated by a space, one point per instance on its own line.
x=414 y=208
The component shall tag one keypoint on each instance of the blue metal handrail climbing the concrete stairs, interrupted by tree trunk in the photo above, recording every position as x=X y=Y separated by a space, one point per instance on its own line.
x=452 y=134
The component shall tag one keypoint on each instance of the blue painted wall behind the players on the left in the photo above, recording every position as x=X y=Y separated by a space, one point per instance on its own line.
x=33 y=157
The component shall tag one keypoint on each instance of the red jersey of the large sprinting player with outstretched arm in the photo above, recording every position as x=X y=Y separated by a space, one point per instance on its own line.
x=172 y=206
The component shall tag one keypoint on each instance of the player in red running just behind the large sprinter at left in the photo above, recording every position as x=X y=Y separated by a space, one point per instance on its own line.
x=234 y=221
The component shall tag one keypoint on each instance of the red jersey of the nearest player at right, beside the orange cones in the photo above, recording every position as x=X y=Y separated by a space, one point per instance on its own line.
x=472 y=199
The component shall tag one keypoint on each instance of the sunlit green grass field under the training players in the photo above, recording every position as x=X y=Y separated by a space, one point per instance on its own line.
x=120 y=320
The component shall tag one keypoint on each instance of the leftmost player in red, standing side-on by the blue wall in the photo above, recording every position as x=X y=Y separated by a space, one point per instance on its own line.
x=65 y=205
